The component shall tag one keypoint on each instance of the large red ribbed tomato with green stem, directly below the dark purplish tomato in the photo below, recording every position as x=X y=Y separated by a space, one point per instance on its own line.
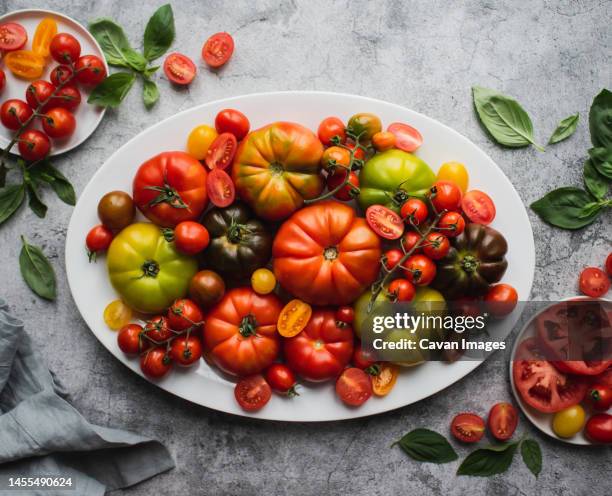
x=240 y=332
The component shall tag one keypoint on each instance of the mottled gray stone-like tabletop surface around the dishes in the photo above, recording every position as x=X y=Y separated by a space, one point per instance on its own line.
x=425 y=55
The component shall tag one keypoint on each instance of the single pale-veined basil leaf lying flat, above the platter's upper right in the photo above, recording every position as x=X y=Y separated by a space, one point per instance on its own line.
x=504 y=118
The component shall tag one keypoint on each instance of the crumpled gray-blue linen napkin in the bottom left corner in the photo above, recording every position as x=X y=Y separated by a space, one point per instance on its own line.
x=41 y=434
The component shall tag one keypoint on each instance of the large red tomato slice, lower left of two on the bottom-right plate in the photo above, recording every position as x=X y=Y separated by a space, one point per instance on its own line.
x=540 y=384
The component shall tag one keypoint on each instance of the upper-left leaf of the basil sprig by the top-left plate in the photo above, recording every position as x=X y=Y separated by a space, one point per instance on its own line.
x=115 y=45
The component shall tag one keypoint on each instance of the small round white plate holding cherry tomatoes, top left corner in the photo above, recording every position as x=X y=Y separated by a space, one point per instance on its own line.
x=87 y=116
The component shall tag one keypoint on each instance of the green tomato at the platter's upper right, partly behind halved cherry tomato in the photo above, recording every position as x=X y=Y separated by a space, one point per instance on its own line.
x=389 y=178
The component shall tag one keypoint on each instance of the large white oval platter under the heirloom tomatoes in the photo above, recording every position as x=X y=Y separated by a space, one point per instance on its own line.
x=92 y=290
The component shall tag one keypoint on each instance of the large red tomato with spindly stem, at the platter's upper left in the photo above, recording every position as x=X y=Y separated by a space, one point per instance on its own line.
x=170 y=188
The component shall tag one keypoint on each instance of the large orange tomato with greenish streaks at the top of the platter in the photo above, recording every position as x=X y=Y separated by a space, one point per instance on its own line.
x=277 y=167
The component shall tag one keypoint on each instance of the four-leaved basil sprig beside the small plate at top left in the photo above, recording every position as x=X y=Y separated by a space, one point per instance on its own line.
x=158 y=36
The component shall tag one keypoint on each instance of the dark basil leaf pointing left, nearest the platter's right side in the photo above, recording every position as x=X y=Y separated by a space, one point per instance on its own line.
x=564 y=207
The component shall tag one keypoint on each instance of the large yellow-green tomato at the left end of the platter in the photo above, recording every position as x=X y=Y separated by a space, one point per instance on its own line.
x=146 y=270
